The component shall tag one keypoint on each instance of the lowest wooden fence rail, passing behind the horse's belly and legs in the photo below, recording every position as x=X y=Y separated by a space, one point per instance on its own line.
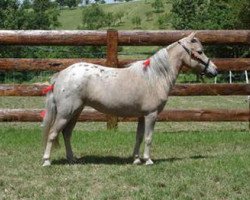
x=198 y=115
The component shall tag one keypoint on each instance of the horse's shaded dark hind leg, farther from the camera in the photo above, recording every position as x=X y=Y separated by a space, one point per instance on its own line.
x=67 y=132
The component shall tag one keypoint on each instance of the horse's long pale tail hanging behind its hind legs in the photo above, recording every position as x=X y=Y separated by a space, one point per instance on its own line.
x=50 y=113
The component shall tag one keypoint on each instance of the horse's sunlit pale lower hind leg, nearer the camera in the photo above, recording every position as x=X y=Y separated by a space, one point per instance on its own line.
x=57 y=127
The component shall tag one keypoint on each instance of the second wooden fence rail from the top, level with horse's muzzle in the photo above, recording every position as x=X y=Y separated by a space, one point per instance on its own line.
x=25 y=64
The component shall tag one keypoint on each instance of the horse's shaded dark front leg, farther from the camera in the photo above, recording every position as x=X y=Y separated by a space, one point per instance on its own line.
x=139 y=138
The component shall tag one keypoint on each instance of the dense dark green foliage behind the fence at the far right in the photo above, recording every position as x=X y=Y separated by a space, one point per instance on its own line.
x=212 y=14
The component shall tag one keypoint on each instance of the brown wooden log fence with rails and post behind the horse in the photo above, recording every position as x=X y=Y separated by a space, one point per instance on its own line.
x=112 y=39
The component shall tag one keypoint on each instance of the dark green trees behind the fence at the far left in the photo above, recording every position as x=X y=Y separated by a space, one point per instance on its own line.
x=42 y=14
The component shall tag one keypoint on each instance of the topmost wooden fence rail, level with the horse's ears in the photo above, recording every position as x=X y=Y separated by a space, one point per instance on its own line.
x=131 y=38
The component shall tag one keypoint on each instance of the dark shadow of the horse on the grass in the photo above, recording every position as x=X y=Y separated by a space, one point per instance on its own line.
x=115 y=160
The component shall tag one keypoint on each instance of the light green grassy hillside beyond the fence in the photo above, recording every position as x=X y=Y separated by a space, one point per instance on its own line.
x=71 y=18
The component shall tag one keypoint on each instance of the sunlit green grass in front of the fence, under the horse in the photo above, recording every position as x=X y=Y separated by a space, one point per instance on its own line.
x=188 y=165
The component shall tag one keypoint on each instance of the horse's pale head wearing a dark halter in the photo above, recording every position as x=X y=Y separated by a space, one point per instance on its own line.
x=194 y=56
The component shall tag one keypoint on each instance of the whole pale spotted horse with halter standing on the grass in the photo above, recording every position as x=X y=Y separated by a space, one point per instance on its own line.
x=140 y=90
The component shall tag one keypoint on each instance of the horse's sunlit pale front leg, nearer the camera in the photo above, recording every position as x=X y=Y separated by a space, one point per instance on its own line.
x=149 y=128
